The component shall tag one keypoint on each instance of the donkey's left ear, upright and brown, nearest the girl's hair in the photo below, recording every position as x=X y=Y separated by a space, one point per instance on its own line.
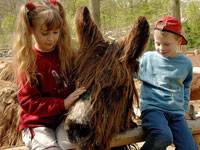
x=87 y=32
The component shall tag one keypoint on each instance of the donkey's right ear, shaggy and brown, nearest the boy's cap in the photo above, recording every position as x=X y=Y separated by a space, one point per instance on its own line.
x=136 y=41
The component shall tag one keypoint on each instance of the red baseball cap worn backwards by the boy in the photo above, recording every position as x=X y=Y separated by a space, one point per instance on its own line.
x=170 y=24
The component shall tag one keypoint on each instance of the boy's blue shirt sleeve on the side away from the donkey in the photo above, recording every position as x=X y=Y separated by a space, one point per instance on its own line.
x=187 y=84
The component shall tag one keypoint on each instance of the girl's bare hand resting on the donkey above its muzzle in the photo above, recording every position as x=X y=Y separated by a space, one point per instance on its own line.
x=71 y=99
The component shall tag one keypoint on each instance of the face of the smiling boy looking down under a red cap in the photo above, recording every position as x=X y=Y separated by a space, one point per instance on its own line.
x=166 y=43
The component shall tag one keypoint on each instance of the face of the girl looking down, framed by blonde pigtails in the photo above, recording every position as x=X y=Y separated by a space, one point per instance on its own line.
x=45 y=39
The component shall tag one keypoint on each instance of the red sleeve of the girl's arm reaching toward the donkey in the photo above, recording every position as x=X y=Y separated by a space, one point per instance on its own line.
x=32 y=102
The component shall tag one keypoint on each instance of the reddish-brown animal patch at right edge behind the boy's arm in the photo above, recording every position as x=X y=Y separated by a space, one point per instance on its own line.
x=195 y=87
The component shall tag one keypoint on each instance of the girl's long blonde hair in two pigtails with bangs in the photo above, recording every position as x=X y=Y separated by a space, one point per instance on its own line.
x=53 y=16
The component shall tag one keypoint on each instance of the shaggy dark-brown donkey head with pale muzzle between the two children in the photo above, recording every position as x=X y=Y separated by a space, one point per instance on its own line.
x=106 y=70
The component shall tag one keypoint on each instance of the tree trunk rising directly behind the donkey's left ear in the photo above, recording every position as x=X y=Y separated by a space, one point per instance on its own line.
x=95 y=11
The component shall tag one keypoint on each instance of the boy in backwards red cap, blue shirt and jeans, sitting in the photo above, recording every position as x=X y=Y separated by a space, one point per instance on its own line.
x=166 y=77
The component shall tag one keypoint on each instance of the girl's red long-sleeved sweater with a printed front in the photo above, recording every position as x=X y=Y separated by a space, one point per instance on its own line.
x=43 y=104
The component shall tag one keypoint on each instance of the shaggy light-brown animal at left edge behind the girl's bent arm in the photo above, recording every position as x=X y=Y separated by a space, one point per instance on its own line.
x=9 y=113
